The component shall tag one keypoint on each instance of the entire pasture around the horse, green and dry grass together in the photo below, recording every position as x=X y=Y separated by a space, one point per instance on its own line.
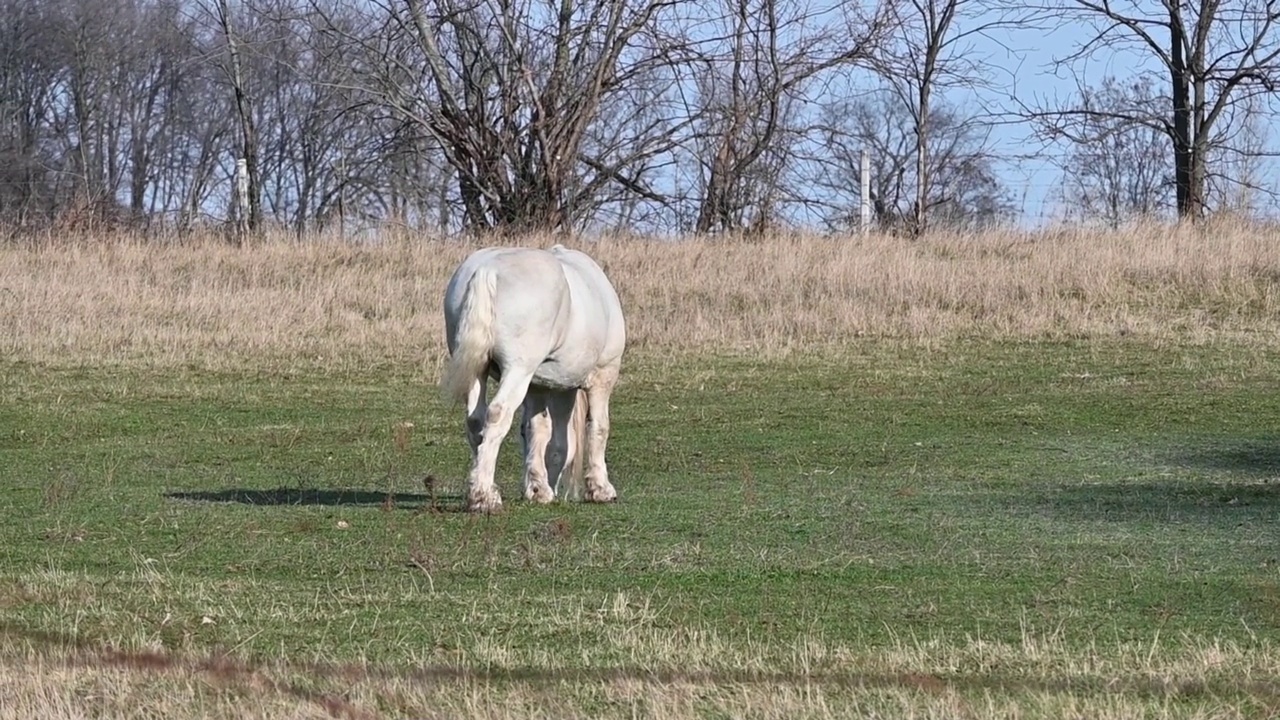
x=208 y=516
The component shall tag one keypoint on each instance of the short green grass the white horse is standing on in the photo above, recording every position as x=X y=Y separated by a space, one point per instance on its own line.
x=806 y=517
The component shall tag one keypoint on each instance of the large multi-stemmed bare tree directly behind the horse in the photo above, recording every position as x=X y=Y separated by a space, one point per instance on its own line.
x=509 y=90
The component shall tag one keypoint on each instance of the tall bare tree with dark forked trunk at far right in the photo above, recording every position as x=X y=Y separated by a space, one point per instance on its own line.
x=1214 y=57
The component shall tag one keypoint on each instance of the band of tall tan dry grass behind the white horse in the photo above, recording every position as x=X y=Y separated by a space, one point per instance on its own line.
x=337 y=304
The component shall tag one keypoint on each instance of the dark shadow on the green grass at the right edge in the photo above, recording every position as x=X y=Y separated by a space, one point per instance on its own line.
x=1220 y=484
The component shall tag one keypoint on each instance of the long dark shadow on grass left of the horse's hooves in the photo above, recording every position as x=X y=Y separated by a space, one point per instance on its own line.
x=327 y=498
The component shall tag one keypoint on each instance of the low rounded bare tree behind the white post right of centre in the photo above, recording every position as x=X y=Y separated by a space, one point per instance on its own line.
x=966 y=190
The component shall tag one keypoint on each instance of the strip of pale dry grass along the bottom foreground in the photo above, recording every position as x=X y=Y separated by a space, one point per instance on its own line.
x=697 y=676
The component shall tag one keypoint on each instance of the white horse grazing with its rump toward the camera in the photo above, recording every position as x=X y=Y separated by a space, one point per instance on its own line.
x=548 y=326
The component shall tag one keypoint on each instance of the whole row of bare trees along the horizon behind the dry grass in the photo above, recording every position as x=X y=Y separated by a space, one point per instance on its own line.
x=531 y=115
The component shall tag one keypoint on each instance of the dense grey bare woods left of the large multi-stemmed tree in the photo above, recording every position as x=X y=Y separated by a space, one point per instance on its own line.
x=126 y=112
